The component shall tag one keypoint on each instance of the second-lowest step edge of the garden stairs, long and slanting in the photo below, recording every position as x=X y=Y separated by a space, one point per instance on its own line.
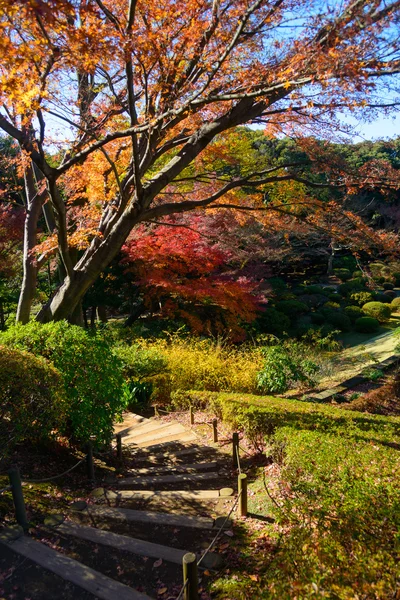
x=122 y=542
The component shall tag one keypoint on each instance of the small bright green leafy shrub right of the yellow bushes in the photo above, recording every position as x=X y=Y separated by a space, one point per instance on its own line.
x=283 y=367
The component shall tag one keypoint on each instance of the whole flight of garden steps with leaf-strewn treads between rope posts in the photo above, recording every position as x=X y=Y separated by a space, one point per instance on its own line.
x=127 y=541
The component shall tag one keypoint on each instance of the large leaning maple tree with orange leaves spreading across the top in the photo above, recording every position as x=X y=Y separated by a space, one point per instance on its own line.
x=121 y=109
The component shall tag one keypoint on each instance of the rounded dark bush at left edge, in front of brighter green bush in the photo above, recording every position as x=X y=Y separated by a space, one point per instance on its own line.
x=32 y=399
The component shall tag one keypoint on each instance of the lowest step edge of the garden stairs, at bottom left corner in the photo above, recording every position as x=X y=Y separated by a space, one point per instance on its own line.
x=71 y=570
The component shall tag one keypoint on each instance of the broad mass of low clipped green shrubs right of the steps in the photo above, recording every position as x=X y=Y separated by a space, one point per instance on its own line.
x=327 y=506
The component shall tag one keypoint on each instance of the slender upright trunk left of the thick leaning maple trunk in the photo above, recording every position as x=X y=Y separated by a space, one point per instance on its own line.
x=34 y=205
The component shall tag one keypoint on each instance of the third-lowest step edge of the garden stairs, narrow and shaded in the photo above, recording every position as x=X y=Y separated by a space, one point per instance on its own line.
x=144 y=516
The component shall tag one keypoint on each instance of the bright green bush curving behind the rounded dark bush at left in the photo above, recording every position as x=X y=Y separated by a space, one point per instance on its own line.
x=91 y=374
